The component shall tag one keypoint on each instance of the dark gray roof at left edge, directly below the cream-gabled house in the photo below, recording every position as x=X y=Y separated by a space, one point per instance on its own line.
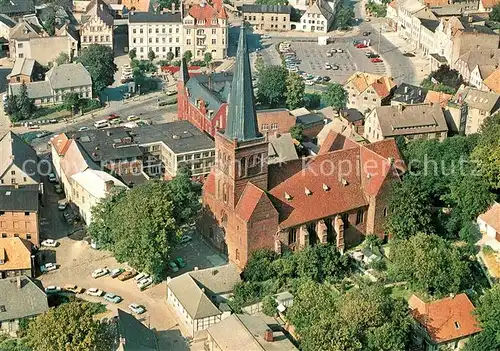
x=23 y=199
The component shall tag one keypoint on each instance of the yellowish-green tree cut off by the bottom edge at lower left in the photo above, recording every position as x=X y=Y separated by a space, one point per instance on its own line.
x=69 y=327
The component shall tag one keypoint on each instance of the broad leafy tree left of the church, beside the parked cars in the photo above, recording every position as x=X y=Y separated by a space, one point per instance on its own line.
x=140 y=226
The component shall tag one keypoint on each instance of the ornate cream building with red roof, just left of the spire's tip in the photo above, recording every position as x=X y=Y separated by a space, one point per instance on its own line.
x=206 y=29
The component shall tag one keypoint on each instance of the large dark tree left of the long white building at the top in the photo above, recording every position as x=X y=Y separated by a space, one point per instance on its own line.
x=99 y=61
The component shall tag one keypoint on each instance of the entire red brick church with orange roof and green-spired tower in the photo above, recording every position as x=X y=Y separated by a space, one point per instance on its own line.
x=338 y=196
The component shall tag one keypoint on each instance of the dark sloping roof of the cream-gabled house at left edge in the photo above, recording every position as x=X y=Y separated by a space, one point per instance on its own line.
x=13 y=150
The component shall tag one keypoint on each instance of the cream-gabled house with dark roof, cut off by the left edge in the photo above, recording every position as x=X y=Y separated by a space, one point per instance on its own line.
x=19 y=161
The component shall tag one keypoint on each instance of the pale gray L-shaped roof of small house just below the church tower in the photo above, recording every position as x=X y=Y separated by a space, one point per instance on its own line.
x=187 y=288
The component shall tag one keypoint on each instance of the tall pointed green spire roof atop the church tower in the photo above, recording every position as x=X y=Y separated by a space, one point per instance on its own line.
x=241 y=117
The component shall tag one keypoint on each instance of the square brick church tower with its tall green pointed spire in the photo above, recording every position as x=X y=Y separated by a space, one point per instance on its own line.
x=240 y=151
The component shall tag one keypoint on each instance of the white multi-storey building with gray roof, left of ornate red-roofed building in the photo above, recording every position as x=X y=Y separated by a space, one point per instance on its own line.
x=157 y=32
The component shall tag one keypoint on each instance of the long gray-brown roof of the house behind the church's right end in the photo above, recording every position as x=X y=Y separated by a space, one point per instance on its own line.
x=410 y=119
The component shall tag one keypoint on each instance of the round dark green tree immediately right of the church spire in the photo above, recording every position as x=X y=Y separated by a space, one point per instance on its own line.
x=272 y=85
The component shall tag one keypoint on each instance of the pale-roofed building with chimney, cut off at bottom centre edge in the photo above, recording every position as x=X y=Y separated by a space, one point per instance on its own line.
x=247 y=333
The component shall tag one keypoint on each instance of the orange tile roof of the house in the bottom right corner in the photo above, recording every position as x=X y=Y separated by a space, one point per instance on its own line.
x=446 y=319
